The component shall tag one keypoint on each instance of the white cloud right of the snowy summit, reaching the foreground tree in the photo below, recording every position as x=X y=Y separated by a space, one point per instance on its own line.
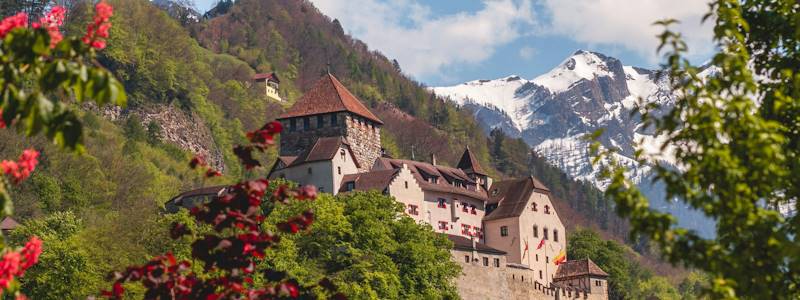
x=628 y=23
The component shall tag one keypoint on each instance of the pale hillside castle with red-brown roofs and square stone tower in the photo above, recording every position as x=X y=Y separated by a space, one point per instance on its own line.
x=508 y=237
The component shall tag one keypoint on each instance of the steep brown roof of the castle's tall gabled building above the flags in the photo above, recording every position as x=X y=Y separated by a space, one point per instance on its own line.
x=512 y=196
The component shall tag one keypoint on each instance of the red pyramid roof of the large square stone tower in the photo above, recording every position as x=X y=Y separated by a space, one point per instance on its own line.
x=328 y=95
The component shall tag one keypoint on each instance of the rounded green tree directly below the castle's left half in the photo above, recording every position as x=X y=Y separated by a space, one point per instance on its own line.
x=365 y=244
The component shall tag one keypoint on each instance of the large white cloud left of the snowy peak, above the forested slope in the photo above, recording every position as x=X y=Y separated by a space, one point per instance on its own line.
x=424 y=43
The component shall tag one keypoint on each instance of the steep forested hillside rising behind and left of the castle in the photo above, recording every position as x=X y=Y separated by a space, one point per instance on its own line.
x=190 y=91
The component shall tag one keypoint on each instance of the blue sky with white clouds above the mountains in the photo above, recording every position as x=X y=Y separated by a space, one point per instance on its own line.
x=446 y=42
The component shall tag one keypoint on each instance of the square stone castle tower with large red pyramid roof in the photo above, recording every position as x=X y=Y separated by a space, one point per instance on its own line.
x=328 y=109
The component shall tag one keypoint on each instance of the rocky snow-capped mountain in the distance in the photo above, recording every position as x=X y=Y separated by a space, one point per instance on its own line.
x=556 y=110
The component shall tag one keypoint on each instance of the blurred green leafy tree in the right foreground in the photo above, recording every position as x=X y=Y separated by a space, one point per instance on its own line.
x=736 y=135
